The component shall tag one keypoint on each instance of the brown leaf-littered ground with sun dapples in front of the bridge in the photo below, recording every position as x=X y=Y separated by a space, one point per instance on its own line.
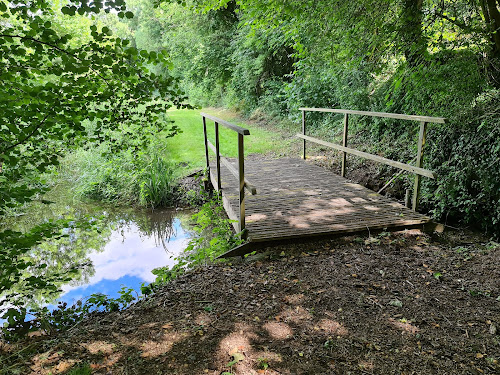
x=389 y=303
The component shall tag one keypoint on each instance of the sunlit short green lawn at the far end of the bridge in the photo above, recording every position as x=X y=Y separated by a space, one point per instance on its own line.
x=188 y=146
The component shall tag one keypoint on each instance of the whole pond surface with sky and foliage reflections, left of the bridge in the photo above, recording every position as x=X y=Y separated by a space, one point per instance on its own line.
x=122 y=250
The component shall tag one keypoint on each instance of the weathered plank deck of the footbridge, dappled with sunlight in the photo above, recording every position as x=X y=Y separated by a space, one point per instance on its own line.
x=296 y=199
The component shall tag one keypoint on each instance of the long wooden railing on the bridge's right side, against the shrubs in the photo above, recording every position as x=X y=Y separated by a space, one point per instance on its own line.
x=417 y=169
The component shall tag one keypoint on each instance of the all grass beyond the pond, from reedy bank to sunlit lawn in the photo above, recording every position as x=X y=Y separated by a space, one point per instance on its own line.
x=148 y=178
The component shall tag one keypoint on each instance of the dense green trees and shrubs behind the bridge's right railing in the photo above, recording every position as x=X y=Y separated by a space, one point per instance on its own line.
x=431 y=58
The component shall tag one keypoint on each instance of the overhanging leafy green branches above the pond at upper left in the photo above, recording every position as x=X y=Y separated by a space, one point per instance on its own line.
x=54 y=79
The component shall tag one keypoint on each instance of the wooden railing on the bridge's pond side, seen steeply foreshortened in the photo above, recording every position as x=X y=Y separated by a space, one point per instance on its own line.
x=238 y=173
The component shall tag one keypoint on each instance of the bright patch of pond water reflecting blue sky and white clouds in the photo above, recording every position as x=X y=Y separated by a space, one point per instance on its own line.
x=136 y=244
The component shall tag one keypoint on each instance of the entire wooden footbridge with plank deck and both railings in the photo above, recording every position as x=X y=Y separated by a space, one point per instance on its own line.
x=292 y=198
